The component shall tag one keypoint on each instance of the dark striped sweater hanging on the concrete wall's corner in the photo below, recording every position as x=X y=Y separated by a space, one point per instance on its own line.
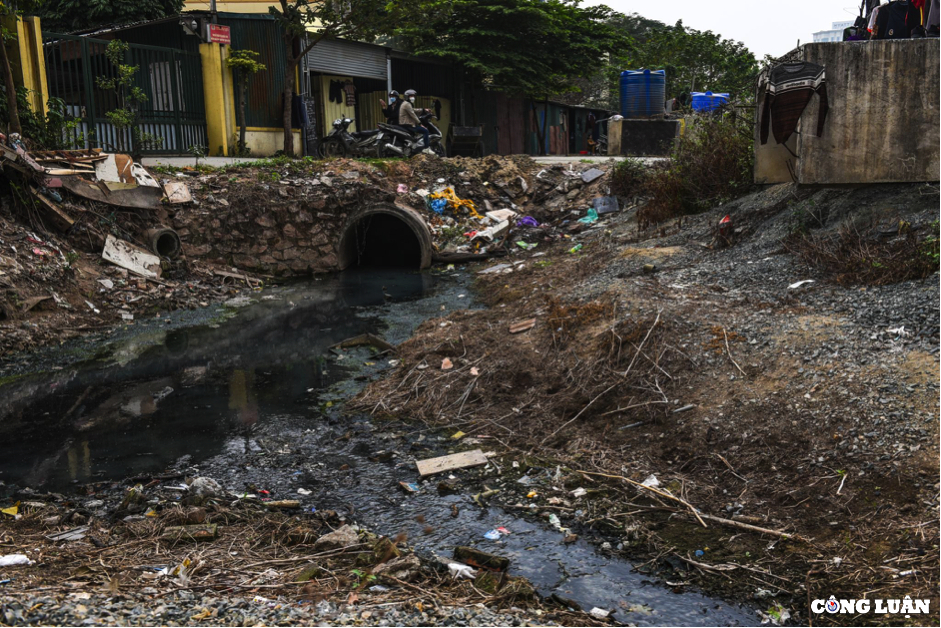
x=789 y=89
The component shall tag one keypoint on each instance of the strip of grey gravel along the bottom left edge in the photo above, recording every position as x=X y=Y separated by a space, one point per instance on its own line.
x=185 y=608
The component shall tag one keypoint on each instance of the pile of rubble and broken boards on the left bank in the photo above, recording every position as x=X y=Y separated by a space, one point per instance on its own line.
x=82 y=247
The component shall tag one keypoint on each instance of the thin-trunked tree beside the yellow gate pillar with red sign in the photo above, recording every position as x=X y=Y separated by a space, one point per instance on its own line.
x=350 y=19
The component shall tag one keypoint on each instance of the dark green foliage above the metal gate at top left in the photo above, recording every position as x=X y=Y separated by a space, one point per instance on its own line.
x=72 y=15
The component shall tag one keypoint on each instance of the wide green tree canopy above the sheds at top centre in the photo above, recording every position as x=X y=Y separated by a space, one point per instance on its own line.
x=527 y=47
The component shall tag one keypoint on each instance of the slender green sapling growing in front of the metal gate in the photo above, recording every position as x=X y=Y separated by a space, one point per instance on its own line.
x=128 y=97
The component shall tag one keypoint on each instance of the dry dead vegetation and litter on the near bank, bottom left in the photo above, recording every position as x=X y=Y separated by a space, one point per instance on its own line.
x=304 y=558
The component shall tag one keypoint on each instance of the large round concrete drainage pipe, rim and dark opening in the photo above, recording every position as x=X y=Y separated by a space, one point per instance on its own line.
x=385 y=235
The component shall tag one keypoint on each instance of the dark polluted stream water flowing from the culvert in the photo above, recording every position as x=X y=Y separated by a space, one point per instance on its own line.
x=250 y=397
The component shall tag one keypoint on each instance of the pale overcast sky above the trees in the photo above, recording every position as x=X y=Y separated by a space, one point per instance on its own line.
x=765 y=27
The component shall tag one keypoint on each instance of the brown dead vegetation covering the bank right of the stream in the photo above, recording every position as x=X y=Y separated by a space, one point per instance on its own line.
x=596 y=387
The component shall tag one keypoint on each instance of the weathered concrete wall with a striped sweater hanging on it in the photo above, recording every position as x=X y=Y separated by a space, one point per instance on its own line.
x=883 y=123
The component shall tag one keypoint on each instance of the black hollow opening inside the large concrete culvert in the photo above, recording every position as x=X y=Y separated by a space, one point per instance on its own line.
x=381 y=240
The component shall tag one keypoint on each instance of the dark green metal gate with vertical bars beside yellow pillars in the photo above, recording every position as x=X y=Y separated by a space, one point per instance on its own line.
x=171 y=80
